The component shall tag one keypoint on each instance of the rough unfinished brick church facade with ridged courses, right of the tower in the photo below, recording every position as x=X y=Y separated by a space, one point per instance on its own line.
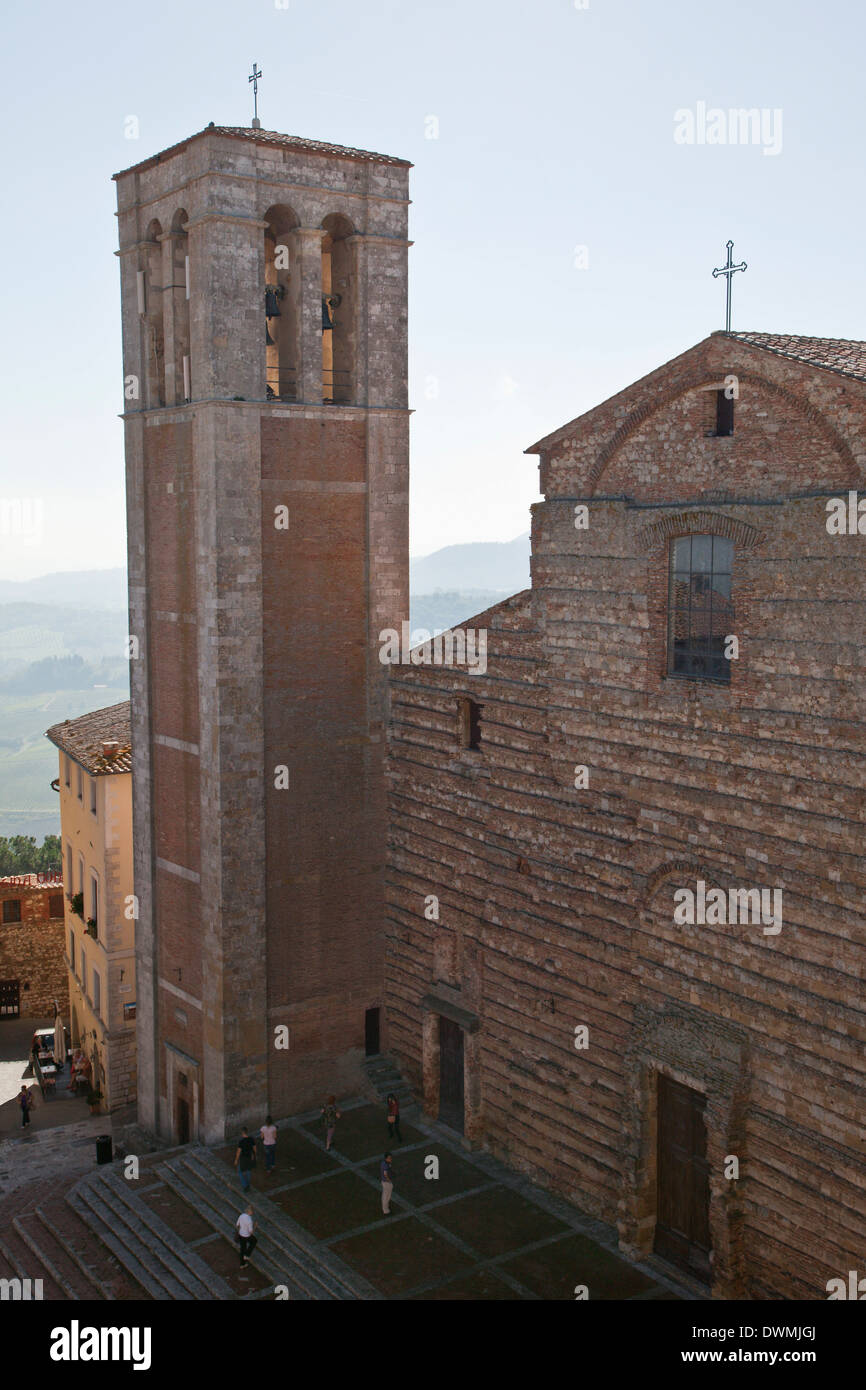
x=628 y=881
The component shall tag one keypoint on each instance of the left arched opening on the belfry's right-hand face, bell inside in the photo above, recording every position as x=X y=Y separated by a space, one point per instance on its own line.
x=281 y=291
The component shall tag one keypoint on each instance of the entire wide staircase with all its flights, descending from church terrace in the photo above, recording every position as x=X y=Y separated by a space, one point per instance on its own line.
x=101 y=1238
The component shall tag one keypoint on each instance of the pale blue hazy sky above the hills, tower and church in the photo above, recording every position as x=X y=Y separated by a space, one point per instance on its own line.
x=572 y=194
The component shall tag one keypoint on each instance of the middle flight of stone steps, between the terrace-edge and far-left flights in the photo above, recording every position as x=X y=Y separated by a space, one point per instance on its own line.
x=144 y=1243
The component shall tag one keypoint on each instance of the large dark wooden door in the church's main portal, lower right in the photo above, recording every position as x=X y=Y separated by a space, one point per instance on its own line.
x=683 y=1181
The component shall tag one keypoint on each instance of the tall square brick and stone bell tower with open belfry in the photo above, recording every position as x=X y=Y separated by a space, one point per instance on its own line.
x=268 y=490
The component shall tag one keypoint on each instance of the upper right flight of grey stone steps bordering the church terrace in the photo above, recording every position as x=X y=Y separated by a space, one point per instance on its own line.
x=284 y=1253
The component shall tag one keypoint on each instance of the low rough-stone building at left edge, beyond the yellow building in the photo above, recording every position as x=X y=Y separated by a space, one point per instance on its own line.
x=33 y=949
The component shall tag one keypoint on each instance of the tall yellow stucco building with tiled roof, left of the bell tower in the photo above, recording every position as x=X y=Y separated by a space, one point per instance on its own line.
x=97 y=833
